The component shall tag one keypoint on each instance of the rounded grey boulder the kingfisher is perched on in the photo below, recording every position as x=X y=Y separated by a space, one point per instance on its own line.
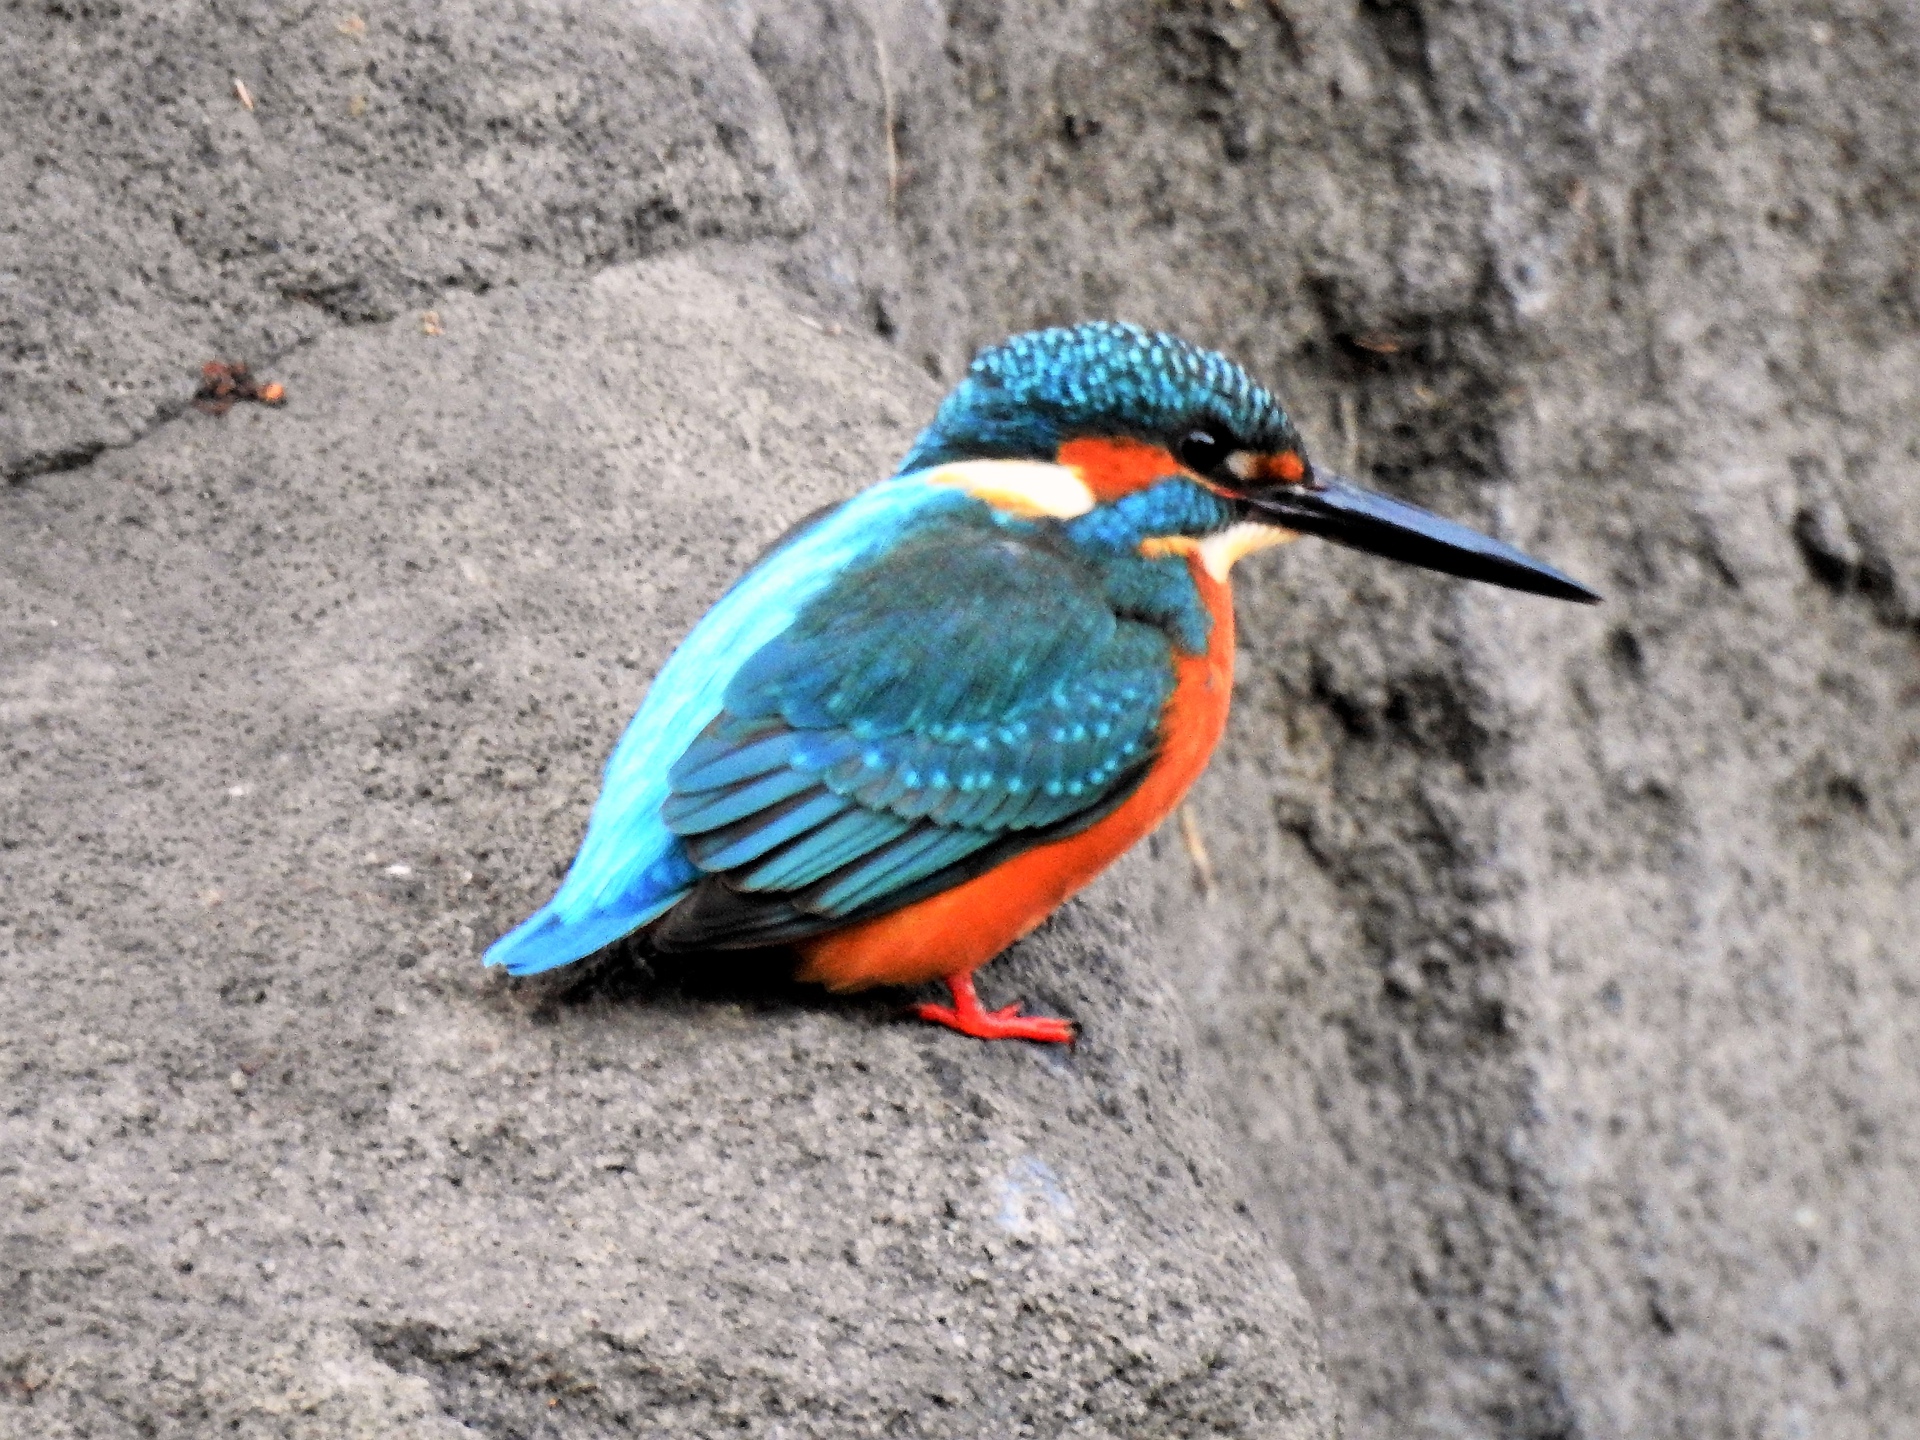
x=302 y=708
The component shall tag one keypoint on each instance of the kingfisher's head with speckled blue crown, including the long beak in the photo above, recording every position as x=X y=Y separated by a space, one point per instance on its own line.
x=1065 y=423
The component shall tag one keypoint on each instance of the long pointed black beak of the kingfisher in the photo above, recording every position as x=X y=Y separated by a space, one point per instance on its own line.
x=1337 y=510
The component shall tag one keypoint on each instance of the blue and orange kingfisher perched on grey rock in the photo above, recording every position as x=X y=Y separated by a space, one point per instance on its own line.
x=932 y=713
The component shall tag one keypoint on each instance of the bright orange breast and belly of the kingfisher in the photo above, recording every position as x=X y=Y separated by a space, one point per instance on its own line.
x=971 y=924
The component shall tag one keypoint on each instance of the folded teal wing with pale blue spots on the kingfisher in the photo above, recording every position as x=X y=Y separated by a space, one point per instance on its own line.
x=938 y=708
